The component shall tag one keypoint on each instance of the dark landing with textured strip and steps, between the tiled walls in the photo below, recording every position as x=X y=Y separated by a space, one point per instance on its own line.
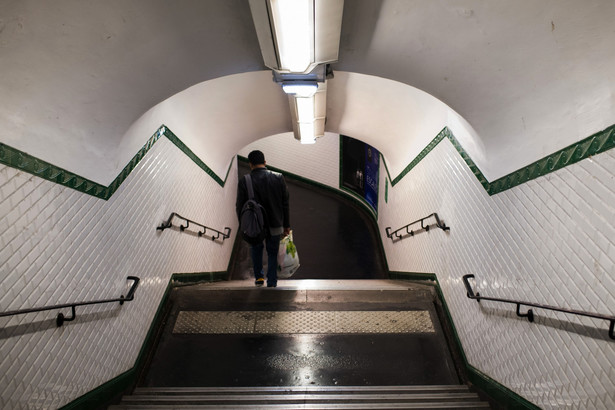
x=324 y=344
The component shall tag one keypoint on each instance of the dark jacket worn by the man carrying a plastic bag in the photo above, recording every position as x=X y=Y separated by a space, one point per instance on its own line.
x=269 y=191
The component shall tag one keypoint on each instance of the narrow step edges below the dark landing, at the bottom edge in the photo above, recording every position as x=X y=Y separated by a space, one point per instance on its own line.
x=304 y=397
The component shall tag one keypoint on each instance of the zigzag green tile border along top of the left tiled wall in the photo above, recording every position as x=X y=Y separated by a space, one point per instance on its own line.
x=15 y=158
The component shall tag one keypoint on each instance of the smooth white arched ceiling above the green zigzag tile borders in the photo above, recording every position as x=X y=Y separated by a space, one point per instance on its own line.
x=84 y=81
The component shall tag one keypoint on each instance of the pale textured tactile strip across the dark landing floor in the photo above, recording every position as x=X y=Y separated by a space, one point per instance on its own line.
x=304 y=322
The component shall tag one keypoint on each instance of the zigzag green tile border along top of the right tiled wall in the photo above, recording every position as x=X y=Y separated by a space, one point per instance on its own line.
x=599 y=142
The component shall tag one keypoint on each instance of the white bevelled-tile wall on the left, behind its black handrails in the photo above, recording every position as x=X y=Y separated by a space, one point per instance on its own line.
x=58 y=245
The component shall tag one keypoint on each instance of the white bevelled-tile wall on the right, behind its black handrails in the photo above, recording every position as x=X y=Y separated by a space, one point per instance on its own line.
x=549 y=241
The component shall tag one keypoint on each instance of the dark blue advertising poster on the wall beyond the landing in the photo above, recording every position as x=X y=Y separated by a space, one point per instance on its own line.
x=360 y=167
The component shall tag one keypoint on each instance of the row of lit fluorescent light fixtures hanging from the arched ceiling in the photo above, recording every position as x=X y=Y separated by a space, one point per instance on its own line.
x=298 y=39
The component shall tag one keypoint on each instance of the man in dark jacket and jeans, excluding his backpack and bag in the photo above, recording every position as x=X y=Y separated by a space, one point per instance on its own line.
x=269 y=191
